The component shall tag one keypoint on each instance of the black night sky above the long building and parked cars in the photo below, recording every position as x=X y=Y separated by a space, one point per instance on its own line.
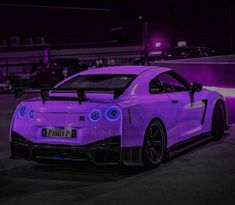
x=199 y=22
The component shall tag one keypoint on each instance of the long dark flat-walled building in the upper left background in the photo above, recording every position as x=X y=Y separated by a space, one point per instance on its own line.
x=26 y=25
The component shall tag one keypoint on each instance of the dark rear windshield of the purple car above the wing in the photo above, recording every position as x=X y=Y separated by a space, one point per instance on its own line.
x=108 y=82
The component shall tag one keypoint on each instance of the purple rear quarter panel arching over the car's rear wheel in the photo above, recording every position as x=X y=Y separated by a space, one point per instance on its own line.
x=138 y=112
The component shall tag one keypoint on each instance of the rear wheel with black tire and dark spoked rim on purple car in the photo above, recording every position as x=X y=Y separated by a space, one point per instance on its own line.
x=154 y=147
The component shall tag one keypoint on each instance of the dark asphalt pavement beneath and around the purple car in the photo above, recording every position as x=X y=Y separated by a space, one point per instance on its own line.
x=204 y=175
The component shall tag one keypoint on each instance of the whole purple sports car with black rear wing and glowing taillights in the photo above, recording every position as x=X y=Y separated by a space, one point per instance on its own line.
x=129 y=115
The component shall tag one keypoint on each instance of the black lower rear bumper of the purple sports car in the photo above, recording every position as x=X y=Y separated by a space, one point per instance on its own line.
x=105 y=152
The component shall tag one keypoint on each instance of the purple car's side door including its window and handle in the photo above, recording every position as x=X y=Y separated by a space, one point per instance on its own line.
x=189 y=107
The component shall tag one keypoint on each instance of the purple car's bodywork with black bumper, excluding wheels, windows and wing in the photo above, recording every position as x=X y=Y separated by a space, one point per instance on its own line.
x=105 y=129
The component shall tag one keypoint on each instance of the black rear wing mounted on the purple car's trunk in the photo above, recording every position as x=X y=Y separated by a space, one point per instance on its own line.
x=81 y=96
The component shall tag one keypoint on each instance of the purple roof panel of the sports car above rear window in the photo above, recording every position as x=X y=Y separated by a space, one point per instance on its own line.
x=128 y=70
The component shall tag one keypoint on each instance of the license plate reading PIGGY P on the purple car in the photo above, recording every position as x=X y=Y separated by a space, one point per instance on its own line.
x=59 y=133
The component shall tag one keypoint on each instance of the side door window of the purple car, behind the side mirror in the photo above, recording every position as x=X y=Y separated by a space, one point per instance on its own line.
x=172 y=83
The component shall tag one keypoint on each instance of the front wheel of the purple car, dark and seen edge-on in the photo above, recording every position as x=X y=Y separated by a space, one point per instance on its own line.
x=218 y=121
